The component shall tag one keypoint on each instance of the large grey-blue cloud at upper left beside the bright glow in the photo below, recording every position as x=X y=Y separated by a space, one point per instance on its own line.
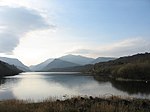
x=15 y=23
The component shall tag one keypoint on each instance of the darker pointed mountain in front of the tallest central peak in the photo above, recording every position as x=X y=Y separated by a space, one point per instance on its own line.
x=57 y=63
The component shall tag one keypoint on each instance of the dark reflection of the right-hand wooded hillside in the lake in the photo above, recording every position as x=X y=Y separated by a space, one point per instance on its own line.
x=131 y=87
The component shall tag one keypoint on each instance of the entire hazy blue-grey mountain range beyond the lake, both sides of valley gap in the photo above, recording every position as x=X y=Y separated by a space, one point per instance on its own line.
x=67 y=61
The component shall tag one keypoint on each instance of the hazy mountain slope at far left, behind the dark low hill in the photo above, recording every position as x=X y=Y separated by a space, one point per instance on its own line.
x=16 y=62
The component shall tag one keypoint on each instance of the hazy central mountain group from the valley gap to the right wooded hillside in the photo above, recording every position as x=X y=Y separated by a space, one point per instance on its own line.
x=67 y=61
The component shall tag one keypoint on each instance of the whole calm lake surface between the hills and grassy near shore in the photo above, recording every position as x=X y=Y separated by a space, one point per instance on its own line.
x=39 y=86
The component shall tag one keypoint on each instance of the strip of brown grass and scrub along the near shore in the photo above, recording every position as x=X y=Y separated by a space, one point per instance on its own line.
x=79 y=104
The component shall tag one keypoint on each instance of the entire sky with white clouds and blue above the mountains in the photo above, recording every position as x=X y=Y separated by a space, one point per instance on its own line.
x=35 y=30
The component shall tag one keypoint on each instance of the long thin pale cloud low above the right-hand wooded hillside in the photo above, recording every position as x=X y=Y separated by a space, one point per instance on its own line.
x=124 y=47
